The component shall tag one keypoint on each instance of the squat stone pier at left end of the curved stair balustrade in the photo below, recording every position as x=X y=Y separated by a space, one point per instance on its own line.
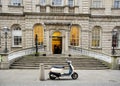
x=4 y=61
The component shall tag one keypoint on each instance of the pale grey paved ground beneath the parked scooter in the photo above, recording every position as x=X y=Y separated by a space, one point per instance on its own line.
x=86 y=78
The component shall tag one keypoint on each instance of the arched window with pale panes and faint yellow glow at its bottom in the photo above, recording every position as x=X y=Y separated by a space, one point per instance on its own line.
x=96 y=36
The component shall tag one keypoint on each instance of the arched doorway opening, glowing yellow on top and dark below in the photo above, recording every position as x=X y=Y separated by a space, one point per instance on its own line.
x=56 y=43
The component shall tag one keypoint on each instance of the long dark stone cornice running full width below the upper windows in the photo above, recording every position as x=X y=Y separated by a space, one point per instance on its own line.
x=59 y=14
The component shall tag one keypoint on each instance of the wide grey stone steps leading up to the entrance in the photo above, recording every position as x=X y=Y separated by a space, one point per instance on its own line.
x=32 y=62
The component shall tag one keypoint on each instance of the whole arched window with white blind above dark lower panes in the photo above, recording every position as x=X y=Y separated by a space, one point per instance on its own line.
x=16 y=36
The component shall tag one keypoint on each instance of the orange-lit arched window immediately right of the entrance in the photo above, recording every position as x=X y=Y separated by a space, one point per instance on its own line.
x=74 y=35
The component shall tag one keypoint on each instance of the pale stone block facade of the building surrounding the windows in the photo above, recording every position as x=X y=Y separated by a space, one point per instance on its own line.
x=28 y=14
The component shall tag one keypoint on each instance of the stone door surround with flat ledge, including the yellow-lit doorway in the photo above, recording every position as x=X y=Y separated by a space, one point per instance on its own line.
x=57 y=35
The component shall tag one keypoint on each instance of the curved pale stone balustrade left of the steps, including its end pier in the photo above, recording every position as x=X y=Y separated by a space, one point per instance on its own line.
x=9 y=58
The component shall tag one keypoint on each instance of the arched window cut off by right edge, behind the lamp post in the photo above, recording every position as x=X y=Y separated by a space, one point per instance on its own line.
x=116 y=37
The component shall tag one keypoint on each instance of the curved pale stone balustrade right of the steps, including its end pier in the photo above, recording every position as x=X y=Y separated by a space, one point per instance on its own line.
x=113 y=61
